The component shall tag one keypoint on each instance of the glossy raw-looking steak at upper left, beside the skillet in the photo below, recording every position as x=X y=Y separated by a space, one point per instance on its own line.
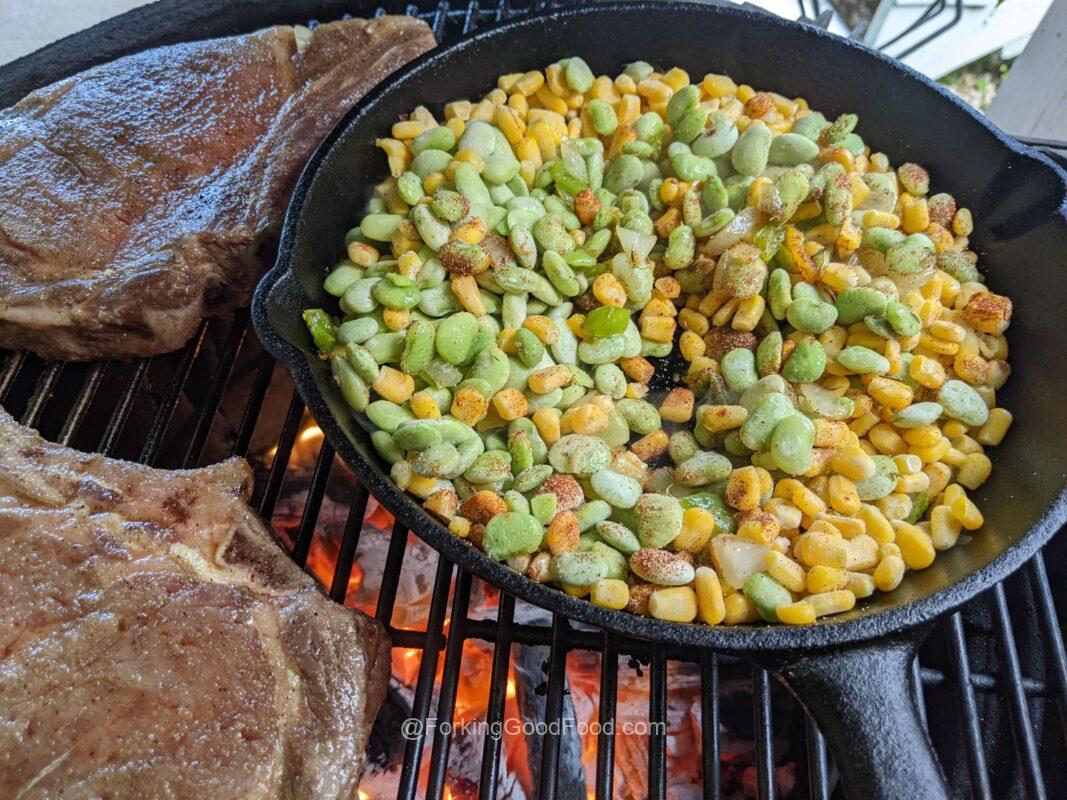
x=140 y=196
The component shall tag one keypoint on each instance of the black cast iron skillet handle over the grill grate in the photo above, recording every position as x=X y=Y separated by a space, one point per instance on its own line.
x=865 y=702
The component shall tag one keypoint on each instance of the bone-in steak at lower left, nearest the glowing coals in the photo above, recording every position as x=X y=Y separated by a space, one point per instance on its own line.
x=156 y=643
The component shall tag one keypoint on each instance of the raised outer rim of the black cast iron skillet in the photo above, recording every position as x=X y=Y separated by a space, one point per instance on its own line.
x=865 y=628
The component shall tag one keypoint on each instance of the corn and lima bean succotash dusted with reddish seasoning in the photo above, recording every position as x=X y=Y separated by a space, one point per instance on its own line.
x=511 y=282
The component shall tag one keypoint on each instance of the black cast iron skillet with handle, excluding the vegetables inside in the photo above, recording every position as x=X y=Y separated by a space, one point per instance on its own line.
x=851 y=671
